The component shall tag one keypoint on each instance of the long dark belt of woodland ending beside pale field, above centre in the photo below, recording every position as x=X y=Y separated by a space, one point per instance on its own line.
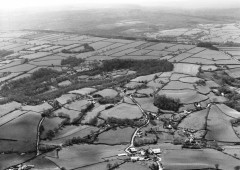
x=143 y=67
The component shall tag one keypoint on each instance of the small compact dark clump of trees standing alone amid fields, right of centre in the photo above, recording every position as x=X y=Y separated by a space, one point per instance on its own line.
x=166 y=103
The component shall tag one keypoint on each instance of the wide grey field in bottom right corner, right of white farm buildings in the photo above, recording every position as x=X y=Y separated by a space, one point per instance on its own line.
x=197 y=159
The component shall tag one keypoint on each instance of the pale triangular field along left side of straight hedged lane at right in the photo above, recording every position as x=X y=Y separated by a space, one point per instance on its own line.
x=196 y=120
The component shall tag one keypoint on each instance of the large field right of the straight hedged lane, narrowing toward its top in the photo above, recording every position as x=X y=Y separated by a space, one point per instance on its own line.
x=219 y=126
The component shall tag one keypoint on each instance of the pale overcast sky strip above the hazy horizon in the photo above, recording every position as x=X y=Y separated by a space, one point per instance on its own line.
x=11 y=5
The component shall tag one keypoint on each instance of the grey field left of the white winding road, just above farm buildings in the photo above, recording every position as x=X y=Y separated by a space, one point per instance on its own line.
x=118 y=136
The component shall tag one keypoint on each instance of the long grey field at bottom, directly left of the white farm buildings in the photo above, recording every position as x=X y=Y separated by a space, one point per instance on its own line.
x=80 y=155
